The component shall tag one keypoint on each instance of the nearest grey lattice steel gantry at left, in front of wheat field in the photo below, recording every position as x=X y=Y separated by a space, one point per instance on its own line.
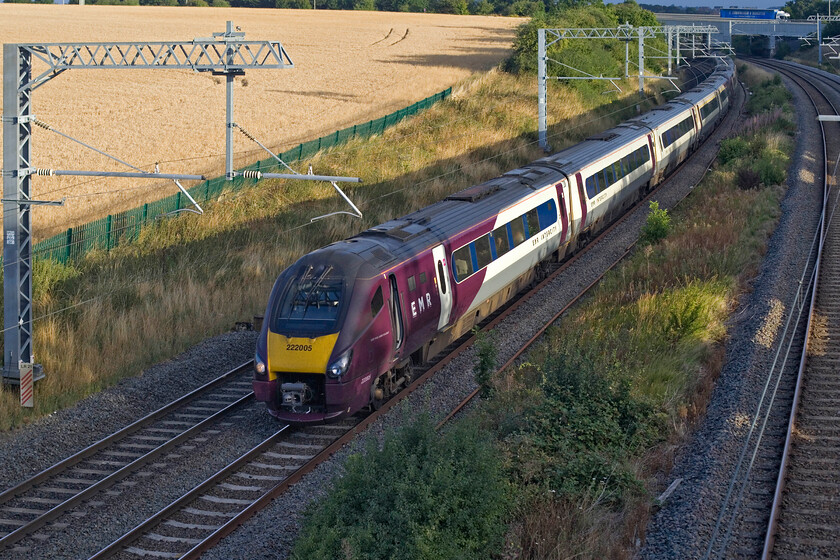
x=226 y=53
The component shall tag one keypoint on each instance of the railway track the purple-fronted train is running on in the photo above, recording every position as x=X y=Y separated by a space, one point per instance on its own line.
x=200 y=519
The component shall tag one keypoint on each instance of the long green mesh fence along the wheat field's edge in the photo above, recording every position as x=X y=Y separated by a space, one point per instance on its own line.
x=125 y=227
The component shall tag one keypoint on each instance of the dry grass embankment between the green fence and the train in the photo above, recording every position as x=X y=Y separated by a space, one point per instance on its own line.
x=112 y=315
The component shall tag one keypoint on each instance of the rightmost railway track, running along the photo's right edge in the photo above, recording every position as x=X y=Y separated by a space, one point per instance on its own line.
x=805 y=514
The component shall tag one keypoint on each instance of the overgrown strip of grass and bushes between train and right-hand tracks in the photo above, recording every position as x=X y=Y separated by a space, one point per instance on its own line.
x=601 y=405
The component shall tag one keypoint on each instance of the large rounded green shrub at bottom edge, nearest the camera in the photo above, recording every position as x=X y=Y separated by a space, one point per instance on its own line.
x=421 y=496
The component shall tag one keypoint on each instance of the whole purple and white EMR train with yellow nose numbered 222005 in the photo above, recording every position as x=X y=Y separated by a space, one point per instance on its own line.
x=344 y=323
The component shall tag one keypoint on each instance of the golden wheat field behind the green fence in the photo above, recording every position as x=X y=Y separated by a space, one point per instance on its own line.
x=349 y=67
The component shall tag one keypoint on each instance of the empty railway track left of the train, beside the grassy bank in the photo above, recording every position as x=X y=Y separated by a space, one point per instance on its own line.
x=58 y=490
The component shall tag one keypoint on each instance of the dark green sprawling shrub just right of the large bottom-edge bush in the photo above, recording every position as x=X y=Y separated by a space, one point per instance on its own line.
x=578 y=437
